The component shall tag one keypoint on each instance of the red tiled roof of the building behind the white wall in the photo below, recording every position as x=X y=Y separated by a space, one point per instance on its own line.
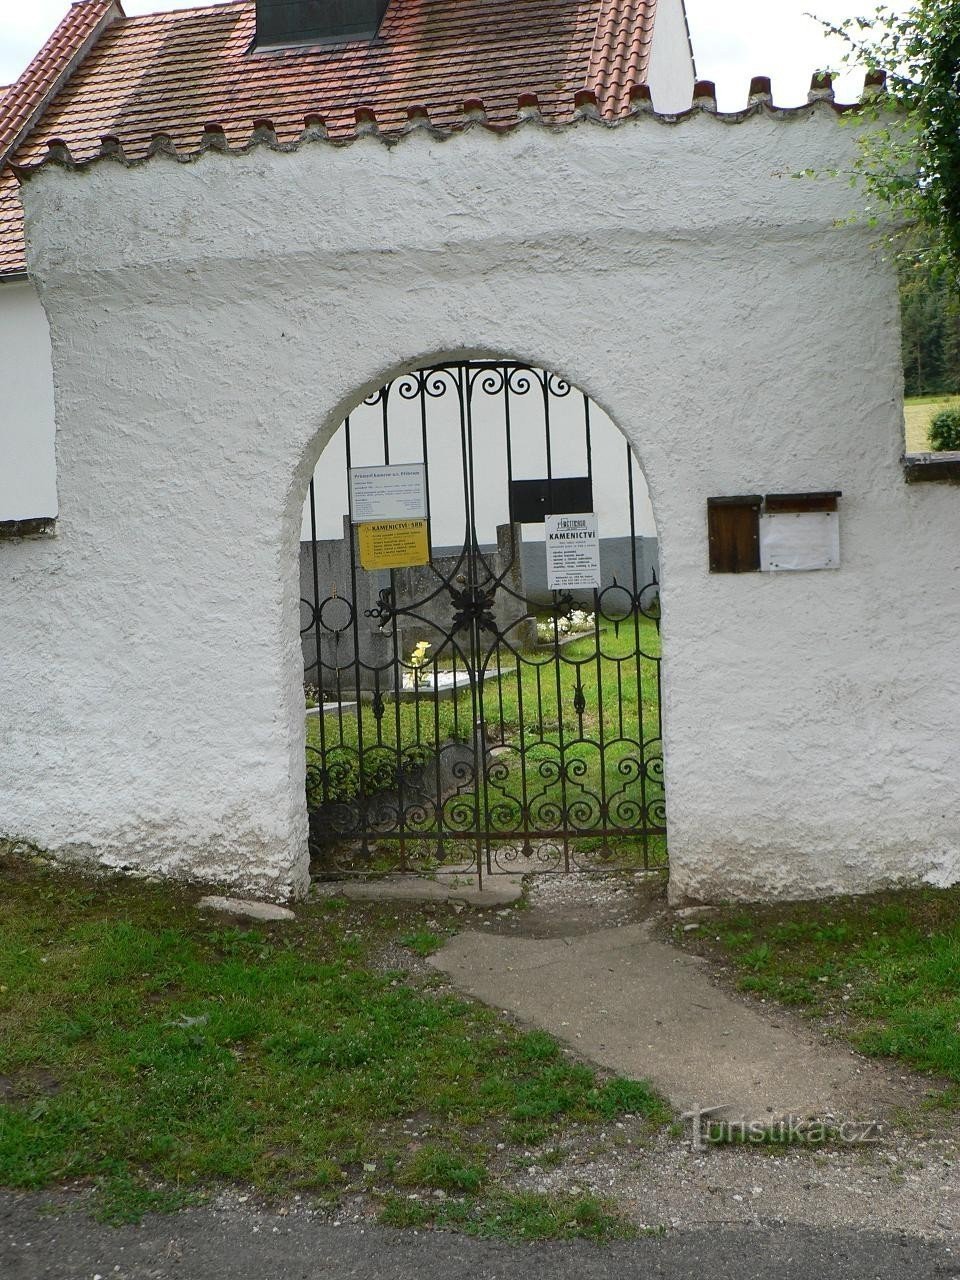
x=177 y=72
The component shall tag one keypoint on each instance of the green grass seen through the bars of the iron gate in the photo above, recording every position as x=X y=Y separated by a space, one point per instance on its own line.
x=580 y=738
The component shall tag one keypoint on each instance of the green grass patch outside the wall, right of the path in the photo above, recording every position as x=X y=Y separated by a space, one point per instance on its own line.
x=885 y=970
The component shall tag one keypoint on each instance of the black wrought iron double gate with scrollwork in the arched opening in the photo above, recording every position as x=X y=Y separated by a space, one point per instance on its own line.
x=465 y=719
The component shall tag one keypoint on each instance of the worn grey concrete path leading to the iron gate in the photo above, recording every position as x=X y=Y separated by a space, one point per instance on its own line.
x=650 y=1012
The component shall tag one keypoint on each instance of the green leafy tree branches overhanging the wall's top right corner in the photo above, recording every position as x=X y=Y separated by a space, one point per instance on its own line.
x=913 y=164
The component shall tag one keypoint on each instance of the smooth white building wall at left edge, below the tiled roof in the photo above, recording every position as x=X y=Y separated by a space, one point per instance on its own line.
x=28 y=469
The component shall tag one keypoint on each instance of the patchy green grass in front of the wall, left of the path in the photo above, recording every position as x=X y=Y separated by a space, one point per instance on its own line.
x=159 y=1055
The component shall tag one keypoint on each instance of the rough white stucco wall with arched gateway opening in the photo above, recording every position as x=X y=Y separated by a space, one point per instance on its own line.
x=212 y=324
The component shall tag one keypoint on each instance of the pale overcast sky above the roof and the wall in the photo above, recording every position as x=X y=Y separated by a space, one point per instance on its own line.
x=733 y=40
